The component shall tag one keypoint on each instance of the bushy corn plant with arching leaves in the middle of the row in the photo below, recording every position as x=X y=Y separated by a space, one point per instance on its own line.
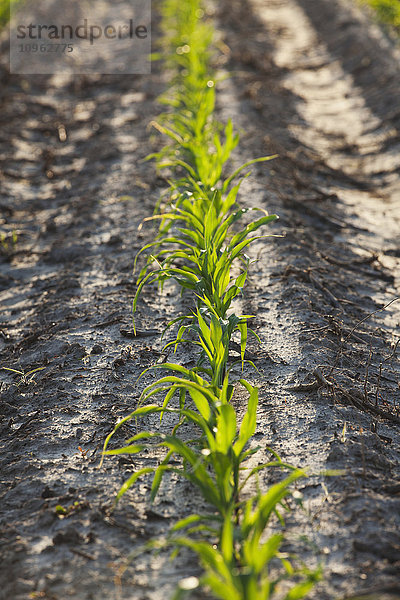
x=201 y=252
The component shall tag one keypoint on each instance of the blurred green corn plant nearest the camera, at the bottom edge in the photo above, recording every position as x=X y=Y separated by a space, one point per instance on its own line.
x=238 y=568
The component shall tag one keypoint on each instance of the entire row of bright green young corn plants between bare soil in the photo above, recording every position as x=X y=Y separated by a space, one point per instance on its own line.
x=200 y=246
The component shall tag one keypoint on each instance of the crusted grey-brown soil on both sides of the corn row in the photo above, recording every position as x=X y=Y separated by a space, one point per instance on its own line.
x=315 y=83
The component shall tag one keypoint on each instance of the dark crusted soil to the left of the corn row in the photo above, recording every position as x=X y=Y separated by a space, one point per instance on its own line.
x=67 y=310
